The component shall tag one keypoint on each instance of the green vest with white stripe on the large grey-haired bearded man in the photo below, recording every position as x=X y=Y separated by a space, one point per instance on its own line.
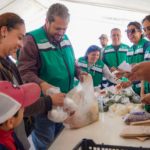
x=58 y=65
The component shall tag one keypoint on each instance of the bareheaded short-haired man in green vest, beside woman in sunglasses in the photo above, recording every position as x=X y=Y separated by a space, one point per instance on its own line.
x=115 y=54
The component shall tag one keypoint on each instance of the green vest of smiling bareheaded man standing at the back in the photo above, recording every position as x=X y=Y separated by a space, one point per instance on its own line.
x=113 y=58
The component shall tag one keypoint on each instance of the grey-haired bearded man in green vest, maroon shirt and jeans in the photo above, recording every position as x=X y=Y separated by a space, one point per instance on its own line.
x=47 y=58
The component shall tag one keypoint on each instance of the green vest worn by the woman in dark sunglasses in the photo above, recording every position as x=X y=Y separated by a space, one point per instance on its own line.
x=135 y=56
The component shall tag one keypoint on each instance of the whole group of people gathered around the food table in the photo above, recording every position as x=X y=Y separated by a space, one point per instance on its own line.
x=46 y=59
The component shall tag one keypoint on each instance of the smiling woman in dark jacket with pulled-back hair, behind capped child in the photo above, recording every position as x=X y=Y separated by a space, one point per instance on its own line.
x=12 y=32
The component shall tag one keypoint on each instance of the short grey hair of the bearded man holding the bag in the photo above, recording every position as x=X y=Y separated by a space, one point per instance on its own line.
x=59 y=10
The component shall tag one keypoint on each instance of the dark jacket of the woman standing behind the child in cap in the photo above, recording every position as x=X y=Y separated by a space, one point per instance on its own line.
x=42 y=105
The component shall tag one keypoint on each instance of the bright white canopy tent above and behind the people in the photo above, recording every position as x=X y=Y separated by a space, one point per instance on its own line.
x=89 y=17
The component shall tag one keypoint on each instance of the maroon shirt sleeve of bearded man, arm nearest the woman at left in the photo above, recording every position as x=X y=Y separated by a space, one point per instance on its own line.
x=29 y=61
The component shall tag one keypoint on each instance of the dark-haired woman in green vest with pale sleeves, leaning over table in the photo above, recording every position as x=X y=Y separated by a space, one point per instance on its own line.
x=92 y=64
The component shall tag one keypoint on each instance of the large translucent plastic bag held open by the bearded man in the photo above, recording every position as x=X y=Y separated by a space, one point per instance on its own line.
x=83 y=96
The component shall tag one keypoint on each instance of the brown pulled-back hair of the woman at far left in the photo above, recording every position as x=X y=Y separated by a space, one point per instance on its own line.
x=10 y=20
